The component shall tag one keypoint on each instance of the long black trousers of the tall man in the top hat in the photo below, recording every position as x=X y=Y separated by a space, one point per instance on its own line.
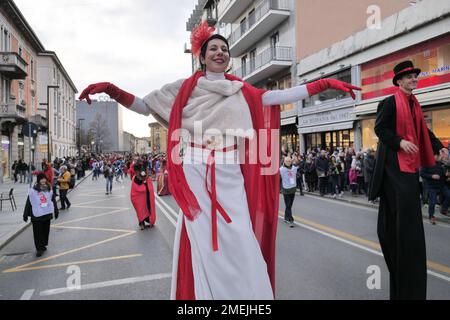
x=401 y=232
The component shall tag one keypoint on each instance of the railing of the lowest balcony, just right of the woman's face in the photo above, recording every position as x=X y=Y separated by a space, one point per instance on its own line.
x=270 y=55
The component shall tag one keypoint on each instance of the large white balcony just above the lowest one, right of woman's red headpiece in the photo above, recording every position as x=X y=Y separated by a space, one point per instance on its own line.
x=266 y=17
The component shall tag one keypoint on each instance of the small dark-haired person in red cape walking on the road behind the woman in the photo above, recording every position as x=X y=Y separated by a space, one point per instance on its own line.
x=143 y=196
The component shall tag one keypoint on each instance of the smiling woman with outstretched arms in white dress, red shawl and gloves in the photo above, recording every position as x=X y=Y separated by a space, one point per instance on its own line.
x=227 y=192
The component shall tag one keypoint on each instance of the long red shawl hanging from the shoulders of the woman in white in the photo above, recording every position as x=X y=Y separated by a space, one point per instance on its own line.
x=261 y=190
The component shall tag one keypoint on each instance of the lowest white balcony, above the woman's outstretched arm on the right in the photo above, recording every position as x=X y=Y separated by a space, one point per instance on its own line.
x=266 y=64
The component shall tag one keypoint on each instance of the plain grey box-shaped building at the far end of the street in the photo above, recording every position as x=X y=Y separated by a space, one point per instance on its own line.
x=101 y=125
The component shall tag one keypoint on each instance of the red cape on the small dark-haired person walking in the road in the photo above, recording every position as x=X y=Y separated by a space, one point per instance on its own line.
x=139 y=201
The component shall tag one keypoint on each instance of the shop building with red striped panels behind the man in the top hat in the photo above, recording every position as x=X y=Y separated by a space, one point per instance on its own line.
x=418 y=32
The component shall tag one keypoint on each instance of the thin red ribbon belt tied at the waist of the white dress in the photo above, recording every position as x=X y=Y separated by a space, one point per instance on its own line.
x=215 y=205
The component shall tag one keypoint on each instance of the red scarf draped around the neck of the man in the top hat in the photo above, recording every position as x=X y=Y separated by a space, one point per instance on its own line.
x=411 y=127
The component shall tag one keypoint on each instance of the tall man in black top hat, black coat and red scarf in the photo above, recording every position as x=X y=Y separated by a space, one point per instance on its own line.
x=405 y=145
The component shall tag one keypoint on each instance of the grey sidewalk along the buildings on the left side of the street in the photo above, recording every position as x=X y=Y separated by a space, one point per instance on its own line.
x=11 y=222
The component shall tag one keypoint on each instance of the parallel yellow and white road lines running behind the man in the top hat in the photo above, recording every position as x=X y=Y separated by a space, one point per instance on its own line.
x=360 y=243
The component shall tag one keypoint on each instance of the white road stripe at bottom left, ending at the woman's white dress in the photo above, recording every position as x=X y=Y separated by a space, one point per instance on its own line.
x=106 y=284
